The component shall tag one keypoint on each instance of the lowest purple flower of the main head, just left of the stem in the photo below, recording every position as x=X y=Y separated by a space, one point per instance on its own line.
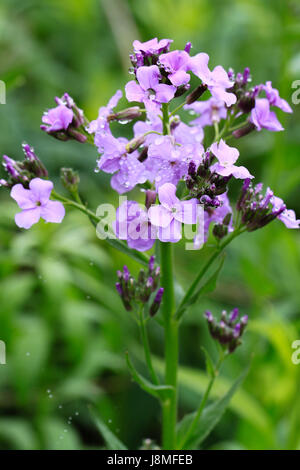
x=132 y=224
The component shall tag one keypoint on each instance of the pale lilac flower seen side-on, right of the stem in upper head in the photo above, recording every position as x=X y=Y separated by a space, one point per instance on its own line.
x=210 y=111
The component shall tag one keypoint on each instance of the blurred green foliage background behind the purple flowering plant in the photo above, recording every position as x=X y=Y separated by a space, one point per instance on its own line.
x=64 y=326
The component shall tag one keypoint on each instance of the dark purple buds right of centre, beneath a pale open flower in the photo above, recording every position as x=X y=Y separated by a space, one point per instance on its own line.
x=204 y=184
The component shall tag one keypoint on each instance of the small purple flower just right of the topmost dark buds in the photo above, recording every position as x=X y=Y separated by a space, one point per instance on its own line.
x=176 y=64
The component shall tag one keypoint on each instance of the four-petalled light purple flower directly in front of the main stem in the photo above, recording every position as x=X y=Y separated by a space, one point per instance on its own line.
x=172 y=212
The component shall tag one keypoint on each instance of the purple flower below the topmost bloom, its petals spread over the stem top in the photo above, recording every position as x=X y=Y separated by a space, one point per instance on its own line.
x=149 y=90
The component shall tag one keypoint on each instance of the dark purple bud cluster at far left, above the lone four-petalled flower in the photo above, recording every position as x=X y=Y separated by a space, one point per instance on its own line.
x=23 y=172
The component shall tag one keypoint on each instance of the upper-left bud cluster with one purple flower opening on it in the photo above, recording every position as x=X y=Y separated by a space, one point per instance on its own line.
x=66 y=121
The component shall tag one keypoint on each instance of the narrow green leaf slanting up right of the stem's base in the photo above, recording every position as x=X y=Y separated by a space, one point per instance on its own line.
x=209 y=419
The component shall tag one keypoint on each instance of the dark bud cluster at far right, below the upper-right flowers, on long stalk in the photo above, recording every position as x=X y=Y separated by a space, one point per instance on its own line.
x=257 y=209
